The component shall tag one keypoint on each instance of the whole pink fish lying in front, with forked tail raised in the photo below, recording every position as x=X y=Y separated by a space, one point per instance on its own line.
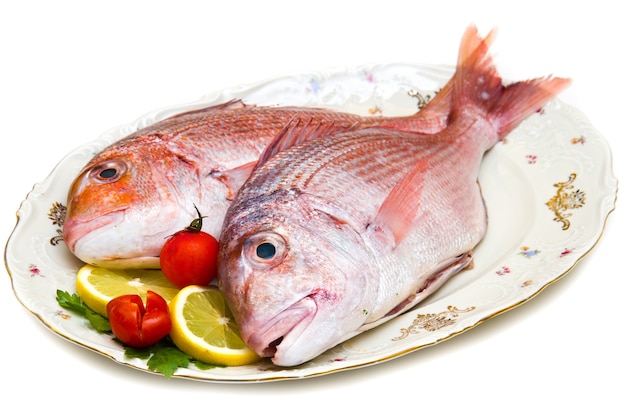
x=334 y=236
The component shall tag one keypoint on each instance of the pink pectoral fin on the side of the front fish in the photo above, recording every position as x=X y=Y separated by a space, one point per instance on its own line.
x=399 y=209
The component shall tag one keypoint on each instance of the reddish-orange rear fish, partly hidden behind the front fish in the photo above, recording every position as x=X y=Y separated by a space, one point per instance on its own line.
x=143 y=188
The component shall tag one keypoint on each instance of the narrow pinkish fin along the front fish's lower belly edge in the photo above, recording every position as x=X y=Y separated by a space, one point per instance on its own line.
x=431 y=285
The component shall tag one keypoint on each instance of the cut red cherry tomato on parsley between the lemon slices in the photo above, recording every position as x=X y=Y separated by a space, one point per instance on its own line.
x=138 y=326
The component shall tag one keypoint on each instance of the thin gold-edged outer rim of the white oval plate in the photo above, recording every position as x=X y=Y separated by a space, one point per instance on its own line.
x=26 y=207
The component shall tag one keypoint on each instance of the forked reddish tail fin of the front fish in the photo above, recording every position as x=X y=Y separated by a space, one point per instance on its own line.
x=478 y=84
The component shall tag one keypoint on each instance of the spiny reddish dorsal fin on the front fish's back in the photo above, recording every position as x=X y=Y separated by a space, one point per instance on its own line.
x=299 y=130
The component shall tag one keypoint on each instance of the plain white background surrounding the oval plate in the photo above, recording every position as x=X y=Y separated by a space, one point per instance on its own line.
x=71 y=70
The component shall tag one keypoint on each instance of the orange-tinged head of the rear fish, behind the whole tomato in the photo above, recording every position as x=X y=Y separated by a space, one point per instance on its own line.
x=123 y=204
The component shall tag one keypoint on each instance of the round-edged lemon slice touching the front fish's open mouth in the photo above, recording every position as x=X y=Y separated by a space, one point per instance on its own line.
x=204 y=328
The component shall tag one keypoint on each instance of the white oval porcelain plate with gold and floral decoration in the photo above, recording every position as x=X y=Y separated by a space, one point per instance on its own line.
x=548 y=186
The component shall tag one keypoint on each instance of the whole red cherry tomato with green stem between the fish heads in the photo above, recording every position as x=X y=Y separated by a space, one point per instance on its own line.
x=189 y=257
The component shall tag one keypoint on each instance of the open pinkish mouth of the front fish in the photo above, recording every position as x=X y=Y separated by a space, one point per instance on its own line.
x=284 y=329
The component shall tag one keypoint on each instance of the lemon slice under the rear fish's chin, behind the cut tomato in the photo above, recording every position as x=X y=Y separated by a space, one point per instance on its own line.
x=97 y=286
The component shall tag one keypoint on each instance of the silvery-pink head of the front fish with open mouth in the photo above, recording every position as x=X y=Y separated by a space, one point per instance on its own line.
x=293 y=277
